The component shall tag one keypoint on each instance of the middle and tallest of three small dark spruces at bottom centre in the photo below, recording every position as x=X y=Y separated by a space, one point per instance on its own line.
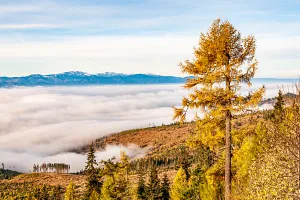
x=153 y=186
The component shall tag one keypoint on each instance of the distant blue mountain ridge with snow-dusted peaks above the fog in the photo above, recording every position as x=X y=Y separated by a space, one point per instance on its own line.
x=107 y=78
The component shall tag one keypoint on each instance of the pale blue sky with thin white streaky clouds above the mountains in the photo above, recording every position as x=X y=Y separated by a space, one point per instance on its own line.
x=136 y=36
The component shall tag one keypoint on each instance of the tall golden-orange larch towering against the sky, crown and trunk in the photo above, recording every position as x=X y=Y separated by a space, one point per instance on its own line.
x=223 y=61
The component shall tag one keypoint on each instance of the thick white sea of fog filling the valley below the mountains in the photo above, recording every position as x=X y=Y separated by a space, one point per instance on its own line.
x=41 y=124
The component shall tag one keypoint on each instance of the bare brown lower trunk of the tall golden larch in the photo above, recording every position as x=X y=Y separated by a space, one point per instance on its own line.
x=228 y=157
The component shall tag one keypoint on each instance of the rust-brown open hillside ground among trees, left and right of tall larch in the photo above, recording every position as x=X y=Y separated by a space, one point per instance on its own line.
x=162 y=142
